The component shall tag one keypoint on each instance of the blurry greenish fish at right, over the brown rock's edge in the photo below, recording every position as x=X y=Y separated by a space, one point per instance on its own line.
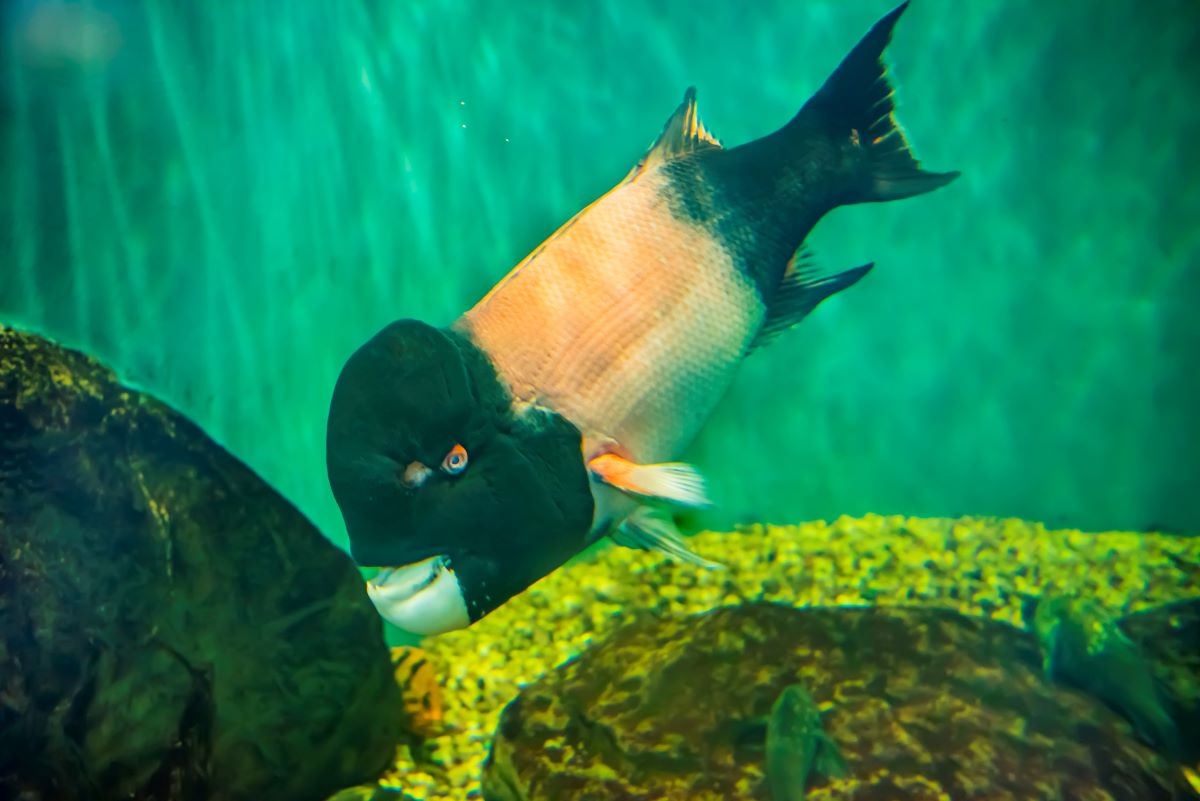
x=1083 y=646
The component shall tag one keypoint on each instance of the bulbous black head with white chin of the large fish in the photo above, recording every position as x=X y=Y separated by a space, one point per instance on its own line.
x=464 y=501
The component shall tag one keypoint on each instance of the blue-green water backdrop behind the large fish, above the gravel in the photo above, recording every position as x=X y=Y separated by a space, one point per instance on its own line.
x=224 y=200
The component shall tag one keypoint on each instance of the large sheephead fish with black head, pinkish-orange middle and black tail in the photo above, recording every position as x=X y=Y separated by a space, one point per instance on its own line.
x=473 y=460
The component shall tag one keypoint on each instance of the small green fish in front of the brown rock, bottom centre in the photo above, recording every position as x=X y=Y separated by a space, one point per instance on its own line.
x=797 y=746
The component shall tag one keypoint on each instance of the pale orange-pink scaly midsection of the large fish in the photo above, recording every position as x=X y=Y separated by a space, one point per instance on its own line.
x=632 y=327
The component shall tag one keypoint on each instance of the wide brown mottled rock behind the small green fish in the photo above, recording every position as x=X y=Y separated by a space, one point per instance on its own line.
x=921 y=703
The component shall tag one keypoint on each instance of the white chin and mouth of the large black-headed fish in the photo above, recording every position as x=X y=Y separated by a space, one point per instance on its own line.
x=423 y=598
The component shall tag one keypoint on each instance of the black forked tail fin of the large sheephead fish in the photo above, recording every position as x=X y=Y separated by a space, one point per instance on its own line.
x=856 y=103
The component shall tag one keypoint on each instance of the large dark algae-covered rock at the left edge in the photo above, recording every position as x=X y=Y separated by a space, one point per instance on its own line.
x=171 y=628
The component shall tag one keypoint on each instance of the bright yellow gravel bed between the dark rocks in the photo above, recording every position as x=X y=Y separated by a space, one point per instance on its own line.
x=975 y=565
